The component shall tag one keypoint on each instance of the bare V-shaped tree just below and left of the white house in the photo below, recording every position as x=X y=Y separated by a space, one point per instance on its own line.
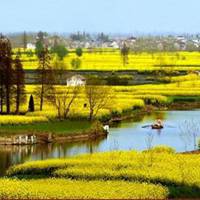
x=64 y=100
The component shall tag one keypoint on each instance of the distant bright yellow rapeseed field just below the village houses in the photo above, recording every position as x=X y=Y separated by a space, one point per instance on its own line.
x=112 y=60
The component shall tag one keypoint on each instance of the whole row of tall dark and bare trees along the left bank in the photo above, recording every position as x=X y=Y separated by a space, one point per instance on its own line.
x=12 y=85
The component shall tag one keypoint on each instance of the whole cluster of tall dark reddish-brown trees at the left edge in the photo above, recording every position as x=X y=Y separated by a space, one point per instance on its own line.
x=12 y=78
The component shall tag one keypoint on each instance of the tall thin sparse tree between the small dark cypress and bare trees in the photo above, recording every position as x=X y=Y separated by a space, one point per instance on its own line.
x=45 y=77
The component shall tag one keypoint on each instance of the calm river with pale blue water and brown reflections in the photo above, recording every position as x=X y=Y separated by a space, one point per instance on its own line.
x=124 y=136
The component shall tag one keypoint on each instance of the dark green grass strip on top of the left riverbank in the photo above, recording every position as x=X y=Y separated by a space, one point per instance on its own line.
x=56 y=127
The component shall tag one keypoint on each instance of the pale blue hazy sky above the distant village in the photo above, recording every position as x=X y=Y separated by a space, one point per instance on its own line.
x=110 y=16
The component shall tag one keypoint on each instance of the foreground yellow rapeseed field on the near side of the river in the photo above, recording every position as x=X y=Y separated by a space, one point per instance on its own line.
x=155 y=174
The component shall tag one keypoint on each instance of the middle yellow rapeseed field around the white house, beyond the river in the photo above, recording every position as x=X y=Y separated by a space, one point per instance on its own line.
x=124 y=98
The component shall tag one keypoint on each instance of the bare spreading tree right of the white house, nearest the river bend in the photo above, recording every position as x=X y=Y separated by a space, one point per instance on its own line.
x=99 y=97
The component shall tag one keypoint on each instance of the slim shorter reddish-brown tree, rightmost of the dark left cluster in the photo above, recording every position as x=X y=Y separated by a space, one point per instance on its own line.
x=19 y=83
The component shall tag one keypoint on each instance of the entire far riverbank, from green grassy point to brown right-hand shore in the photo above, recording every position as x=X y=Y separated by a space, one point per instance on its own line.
x=71 y=131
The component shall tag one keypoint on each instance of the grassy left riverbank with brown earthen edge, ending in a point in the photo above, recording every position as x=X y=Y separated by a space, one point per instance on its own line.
x=26 y=135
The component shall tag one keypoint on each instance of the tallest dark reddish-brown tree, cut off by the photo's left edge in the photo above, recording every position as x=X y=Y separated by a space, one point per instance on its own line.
x=7 y=72
